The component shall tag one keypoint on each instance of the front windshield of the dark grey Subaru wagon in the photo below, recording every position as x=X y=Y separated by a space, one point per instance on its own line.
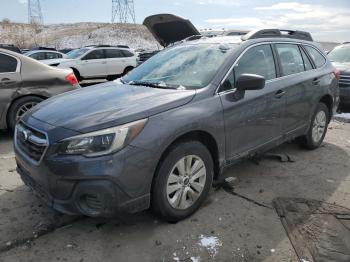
x=189 y=66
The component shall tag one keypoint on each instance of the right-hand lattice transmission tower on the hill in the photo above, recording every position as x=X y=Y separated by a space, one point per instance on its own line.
x=123 y=11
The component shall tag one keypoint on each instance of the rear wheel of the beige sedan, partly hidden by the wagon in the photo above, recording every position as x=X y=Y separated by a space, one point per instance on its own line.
x=18 y=108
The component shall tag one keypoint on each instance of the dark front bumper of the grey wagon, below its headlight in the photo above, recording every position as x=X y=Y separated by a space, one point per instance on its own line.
x=96 y=187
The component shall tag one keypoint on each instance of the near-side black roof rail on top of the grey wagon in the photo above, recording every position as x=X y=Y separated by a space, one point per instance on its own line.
x=271 y=33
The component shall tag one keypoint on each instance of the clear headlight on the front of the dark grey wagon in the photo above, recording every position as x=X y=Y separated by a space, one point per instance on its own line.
x=101 y=142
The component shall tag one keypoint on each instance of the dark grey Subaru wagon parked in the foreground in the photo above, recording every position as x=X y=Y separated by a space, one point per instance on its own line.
x=161 y=135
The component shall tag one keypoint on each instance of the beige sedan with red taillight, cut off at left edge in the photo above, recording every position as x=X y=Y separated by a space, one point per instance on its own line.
x=24 y=82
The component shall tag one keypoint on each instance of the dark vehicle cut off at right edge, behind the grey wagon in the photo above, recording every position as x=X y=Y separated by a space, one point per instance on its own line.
x=340 y=57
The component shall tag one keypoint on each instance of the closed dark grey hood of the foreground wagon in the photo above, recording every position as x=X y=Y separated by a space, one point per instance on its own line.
x=107 y=105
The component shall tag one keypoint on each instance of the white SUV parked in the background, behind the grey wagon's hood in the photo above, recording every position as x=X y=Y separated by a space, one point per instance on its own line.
x=99 y=61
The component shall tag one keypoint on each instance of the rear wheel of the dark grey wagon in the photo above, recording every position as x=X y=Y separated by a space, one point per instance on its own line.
x=318 y=128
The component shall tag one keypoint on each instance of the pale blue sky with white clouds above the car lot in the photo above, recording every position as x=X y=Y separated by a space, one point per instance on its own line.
x=326 y=20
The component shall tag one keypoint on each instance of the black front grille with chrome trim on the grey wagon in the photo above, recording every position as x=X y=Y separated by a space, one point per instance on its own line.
x=31 y=142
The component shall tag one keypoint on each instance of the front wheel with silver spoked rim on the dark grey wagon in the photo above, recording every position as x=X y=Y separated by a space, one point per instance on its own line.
x=163 y=200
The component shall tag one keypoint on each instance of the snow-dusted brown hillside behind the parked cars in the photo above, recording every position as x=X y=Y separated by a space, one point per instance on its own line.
x=76 y=35
